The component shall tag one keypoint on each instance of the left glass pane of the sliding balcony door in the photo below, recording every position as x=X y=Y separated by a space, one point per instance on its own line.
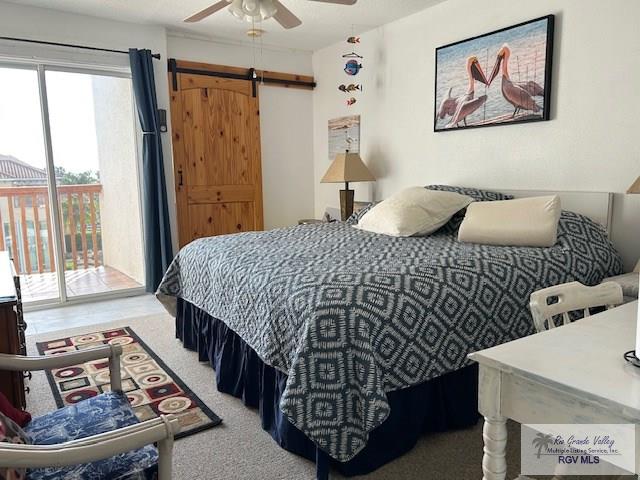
x=24 y=196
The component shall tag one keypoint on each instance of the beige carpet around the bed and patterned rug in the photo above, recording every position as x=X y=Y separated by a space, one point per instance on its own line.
x=240 y=449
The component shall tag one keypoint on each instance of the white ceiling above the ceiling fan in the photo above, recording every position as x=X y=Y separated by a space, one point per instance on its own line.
x=323 y=24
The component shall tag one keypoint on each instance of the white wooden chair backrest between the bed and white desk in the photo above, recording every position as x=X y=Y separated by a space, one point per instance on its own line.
x=571 y=297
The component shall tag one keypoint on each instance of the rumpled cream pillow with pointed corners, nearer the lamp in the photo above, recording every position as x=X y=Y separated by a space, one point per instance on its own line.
x=413 y=211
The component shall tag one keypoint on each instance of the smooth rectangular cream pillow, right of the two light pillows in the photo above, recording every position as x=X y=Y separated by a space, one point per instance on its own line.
x=526 y=222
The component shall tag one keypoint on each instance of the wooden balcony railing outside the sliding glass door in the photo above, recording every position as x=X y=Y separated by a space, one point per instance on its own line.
x=80 y=218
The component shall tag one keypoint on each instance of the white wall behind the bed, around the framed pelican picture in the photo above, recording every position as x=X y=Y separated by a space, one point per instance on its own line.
x=589 y=144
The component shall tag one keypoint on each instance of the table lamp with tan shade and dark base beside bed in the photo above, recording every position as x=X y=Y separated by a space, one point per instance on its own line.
x=347 y=167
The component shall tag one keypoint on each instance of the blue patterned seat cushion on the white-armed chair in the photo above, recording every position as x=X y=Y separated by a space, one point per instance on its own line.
x=100 y=414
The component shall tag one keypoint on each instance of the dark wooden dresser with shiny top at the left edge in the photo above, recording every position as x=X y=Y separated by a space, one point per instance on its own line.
x=12 y=328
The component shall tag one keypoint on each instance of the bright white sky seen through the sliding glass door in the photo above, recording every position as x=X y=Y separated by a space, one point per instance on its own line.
x=71 y=113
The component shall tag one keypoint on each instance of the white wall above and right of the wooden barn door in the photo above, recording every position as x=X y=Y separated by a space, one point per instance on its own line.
x=286 y=126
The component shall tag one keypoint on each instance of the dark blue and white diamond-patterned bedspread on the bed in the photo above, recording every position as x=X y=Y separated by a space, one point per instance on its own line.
x=349 y=315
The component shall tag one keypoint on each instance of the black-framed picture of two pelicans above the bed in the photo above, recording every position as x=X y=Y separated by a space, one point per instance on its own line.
x=498 y=78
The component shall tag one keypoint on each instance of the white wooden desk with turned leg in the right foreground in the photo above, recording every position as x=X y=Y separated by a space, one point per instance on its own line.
x=570 y=374
